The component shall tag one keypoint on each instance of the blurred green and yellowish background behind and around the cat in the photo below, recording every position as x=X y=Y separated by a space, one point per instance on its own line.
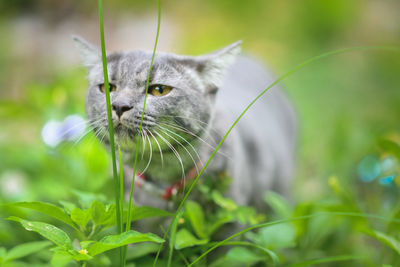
x=345 y=103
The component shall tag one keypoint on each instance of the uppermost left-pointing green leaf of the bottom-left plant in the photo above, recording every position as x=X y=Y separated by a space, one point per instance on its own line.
x=47 y=209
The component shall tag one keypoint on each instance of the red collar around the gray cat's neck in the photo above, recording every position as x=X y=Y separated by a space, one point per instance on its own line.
x=170 y=191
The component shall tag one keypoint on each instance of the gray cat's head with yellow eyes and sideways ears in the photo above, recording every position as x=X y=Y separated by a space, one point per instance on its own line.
x=181 y=92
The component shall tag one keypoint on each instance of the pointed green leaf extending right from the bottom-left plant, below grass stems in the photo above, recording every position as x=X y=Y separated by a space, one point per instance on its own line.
x=115 y=241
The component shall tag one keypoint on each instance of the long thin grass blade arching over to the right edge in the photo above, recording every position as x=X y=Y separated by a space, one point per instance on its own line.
x=290 y=72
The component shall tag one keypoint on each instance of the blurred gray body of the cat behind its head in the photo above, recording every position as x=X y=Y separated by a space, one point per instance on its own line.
x=262 y=144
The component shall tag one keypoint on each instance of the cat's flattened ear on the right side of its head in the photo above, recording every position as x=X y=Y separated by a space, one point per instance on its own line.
x=211 y=67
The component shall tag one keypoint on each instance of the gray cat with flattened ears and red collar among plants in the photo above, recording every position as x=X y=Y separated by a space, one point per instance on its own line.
x=192 y=102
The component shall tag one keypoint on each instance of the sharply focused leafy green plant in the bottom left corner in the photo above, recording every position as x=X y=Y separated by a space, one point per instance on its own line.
x=89 y=238
